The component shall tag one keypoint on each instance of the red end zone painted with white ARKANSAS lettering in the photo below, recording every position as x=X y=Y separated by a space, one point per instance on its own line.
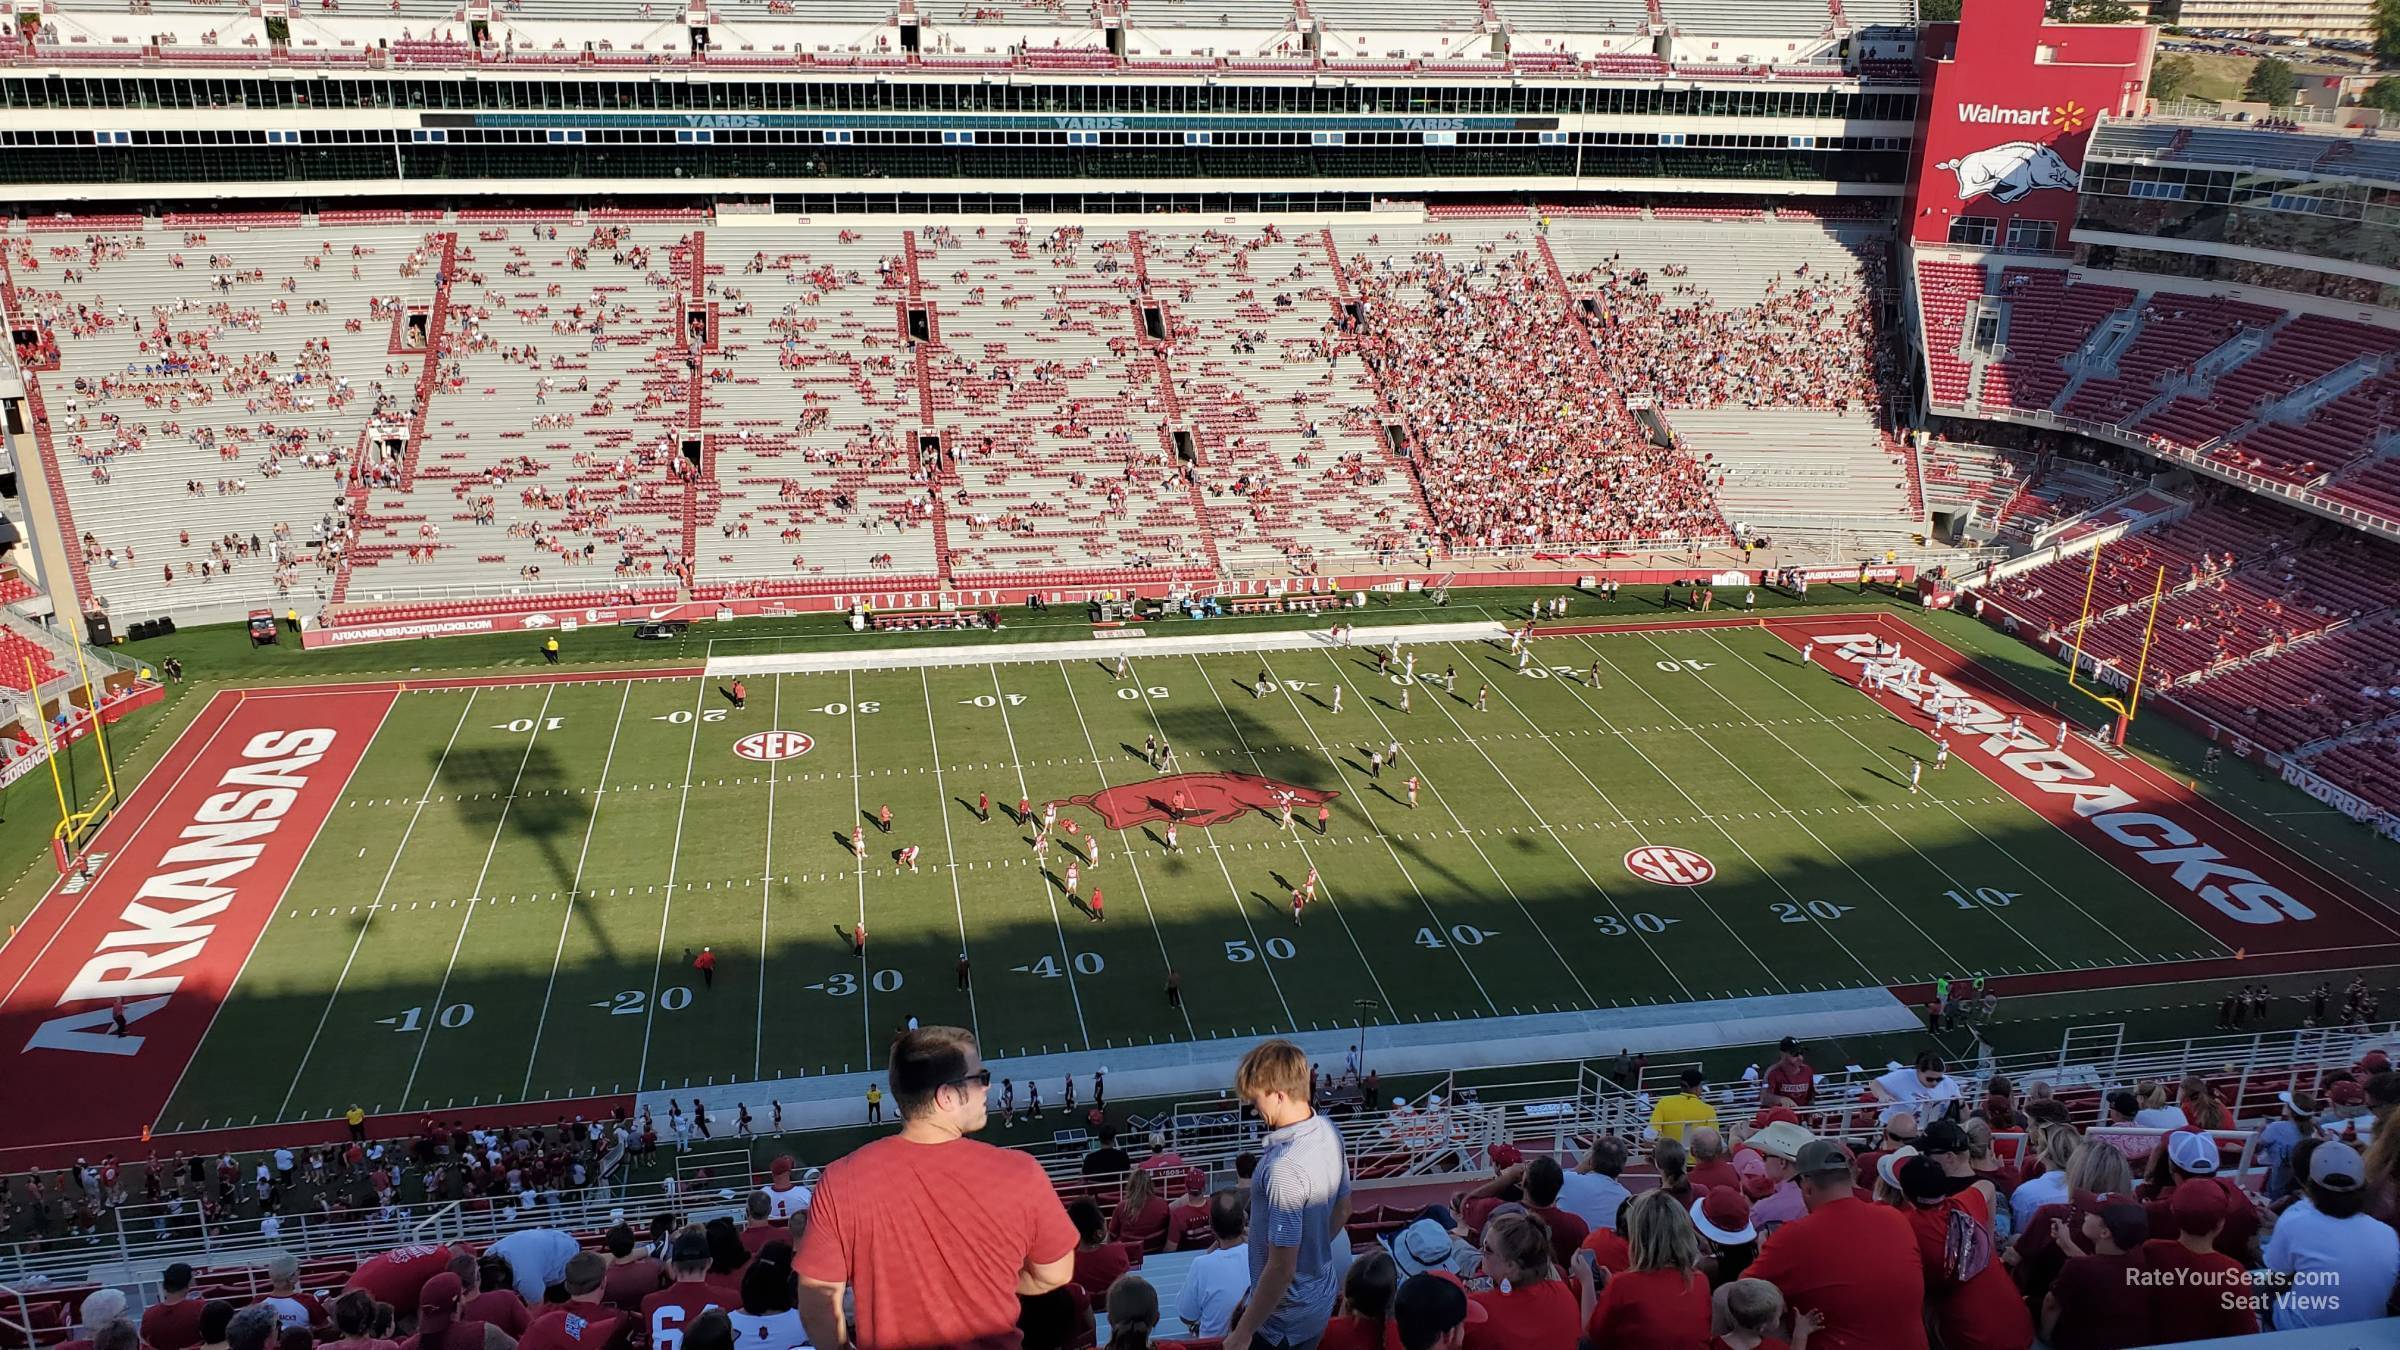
x=196 y=864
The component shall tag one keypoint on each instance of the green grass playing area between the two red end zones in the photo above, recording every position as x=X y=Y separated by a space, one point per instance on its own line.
x=608 y=828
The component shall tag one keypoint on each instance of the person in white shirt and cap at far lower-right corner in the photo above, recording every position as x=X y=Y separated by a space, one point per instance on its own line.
x=2332 y=1262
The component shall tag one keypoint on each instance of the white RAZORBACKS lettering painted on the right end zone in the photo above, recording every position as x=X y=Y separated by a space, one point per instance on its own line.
x=2178 y=856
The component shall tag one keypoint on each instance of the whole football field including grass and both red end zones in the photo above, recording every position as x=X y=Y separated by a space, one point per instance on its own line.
x=491 y=892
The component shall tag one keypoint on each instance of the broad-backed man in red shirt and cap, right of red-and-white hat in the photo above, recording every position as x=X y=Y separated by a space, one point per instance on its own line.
x=1849 y=1262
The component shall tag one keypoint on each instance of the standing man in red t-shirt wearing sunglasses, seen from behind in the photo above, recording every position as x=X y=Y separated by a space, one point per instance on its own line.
x=930 y=1231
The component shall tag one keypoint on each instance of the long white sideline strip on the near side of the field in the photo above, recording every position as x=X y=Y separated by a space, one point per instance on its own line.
x=1206 y=1068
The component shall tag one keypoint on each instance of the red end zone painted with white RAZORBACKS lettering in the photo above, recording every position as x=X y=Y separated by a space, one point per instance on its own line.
x=2207 y=864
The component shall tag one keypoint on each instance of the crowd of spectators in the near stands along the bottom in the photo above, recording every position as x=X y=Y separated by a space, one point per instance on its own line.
x=1895 y=1224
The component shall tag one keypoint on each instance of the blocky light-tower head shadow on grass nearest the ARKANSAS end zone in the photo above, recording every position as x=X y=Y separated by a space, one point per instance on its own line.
x=512 y=799
